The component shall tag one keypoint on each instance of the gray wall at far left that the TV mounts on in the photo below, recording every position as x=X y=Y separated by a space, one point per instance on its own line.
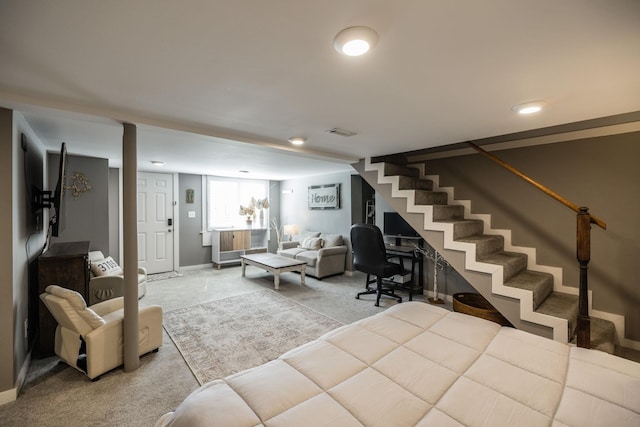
x=21 y=244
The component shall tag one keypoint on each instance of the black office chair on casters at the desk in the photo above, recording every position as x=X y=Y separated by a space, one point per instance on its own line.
x=370 y=256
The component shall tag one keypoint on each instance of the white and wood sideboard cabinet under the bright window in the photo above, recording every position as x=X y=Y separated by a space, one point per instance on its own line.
x=227 y=245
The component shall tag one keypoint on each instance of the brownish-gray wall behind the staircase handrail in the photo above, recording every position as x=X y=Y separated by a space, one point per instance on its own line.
x=600 y=173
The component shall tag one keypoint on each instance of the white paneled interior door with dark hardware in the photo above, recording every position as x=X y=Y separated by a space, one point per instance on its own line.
x=155 y=222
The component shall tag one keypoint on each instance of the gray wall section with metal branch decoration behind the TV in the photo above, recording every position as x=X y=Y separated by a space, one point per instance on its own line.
x=87 y=217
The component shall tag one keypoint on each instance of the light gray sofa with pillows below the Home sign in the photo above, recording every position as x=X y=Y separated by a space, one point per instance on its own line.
x=324 y=253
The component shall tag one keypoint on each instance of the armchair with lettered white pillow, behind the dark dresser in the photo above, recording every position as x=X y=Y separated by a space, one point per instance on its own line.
x=106 y=279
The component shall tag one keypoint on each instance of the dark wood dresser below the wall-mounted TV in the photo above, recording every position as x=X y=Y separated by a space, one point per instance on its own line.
x=65 y=265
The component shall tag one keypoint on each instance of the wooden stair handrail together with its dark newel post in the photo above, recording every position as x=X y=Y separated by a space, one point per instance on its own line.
x=583 y=243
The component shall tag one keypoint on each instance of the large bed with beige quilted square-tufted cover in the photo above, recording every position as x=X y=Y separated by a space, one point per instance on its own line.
x=421 y=365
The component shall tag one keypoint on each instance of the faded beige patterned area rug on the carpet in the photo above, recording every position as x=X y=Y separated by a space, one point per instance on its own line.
x=226 y=336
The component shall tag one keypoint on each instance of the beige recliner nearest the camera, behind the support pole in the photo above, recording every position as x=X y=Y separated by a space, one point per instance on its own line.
x=91 y=338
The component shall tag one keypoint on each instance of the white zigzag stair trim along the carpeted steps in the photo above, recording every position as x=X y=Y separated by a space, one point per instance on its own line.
x=558 y=326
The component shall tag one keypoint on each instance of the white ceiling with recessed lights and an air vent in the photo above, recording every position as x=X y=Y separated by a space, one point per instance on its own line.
x=196 y=75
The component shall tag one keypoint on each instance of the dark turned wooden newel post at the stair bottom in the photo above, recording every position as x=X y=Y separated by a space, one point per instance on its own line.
x=584 y=255
